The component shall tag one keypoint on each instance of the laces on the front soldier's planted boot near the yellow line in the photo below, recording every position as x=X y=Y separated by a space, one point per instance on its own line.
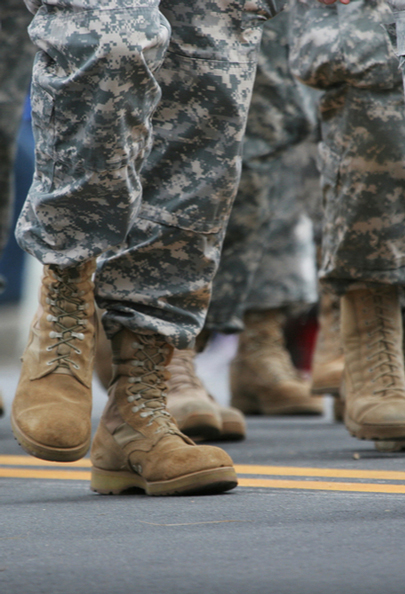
x=148 y=387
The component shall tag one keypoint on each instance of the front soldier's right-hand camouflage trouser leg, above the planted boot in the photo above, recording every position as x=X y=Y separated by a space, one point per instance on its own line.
x=160 y=281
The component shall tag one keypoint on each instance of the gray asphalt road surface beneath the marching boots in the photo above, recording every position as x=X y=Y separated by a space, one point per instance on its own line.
x=56 y=537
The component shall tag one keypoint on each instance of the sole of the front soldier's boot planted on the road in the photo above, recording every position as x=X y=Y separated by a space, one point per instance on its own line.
x=218 y=480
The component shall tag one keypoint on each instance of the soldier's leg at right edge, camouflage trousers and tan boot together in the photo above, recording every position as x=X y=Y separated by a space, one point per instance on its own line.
x=362 y=158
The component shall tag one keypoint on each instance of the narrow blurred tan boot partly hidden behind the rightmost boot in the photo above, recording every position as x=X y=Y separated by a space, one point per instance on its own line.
x=328 y=360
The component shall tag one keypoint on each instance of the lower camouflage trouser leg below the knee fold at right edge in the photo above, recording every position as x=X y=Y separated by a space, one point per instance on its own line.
x=363 y=179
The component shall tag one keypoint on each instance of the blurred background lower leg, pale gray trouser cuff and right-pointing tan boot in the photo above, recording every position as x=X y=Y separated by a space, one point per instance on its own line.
x=263 y=379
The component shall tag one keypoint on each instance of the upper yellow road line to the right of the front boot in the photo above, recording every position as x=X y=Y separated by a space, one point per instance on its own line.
x=321 y=472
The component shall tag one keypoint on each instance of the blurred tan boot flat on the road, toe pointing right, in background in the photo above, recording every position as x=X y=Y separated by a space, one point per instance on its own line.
x=262 y=376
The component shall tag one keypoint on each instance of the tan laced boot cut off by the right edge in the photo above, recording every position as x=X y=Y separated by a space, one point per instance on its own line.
x=374 y=379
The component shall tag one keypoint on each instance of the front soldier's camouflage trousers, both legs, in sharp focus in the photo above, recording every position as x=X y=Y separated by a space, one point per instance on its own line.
x=104 y=68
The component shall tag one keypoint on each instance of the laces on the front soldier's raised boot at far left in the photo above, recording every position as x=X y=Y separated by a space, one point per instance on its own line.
x=66 y=303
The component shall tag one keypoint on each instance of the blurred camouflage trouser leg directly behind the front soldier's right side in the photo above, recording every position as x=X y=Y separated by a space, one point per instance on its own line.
x=269 y=187
